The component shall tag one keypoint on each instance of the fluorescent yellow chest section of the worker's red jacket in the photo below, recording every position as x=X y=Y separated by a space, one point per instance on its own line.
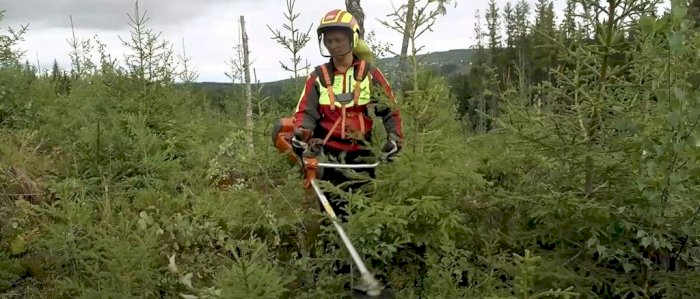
x=339 y=90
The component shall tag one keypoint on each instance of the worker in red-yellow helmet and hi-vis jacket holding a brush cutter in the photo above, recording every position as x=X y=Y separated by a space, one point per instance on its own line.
x=334 y=106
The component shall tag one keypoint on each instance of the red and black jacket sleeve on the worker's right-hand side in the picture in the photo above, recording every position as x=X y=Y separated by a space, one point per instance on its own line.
x=388 y=109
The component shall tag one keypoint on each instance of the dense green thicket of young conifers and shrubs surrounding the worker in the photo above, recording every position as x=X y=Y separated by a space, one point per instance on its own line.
x=564 y=164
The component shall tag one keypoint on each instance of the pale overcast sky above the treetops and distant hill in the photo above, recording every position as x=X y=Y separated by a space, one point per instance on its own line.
x=210 y=28
